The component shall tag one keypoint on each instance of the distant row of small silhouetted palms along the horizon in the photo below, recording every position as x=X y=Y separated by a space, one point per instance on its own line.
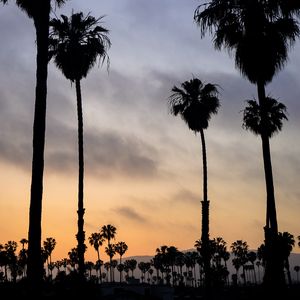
x=168 y=266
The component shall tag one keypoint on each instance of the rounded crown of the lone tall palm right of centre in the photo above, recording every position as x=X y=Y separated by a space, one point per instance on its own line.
x=195 y=102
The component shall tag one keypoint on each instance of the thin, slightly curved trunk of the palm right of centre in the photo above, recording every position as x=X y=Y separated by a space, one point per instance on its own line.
x=205 y=219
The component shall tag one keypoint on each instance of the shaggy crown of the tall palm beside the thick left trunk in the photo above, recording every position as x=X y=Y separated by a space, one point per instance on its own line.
x=76 y=43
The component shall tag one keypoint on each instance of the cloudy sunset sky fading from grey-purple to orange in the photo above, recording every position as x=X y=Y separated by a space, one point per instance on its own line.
x=143 y=166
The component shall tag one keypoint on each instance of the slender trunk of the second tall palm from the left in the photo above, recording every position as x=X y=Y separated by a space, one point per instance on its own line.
x=80 y=212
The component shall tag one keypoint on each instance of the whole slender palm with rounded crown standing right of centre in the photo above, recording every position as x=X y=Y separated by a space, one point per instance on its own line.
x=196 y=102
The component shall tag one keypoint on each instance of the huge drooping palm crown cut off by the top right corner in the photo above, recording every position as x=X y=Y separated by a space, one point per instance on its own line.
x=259 y=33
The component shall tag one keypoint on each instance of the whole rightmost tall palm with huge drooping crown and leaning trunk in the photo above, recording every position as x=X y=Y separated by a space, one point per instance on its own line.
x=259 y=34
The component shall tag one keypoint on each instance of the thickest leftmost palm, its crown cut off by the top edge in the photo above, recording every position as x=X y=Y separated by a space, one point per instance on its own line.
x=39 y=12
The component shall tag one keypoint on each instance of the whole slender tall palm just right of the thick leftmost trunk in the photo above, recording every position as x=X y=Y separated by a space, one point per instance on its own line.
x=76 y=43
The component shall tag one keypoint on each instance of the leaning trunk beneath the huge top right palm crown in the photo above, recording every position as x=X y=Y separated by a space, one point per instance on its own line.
x=274 y=269
